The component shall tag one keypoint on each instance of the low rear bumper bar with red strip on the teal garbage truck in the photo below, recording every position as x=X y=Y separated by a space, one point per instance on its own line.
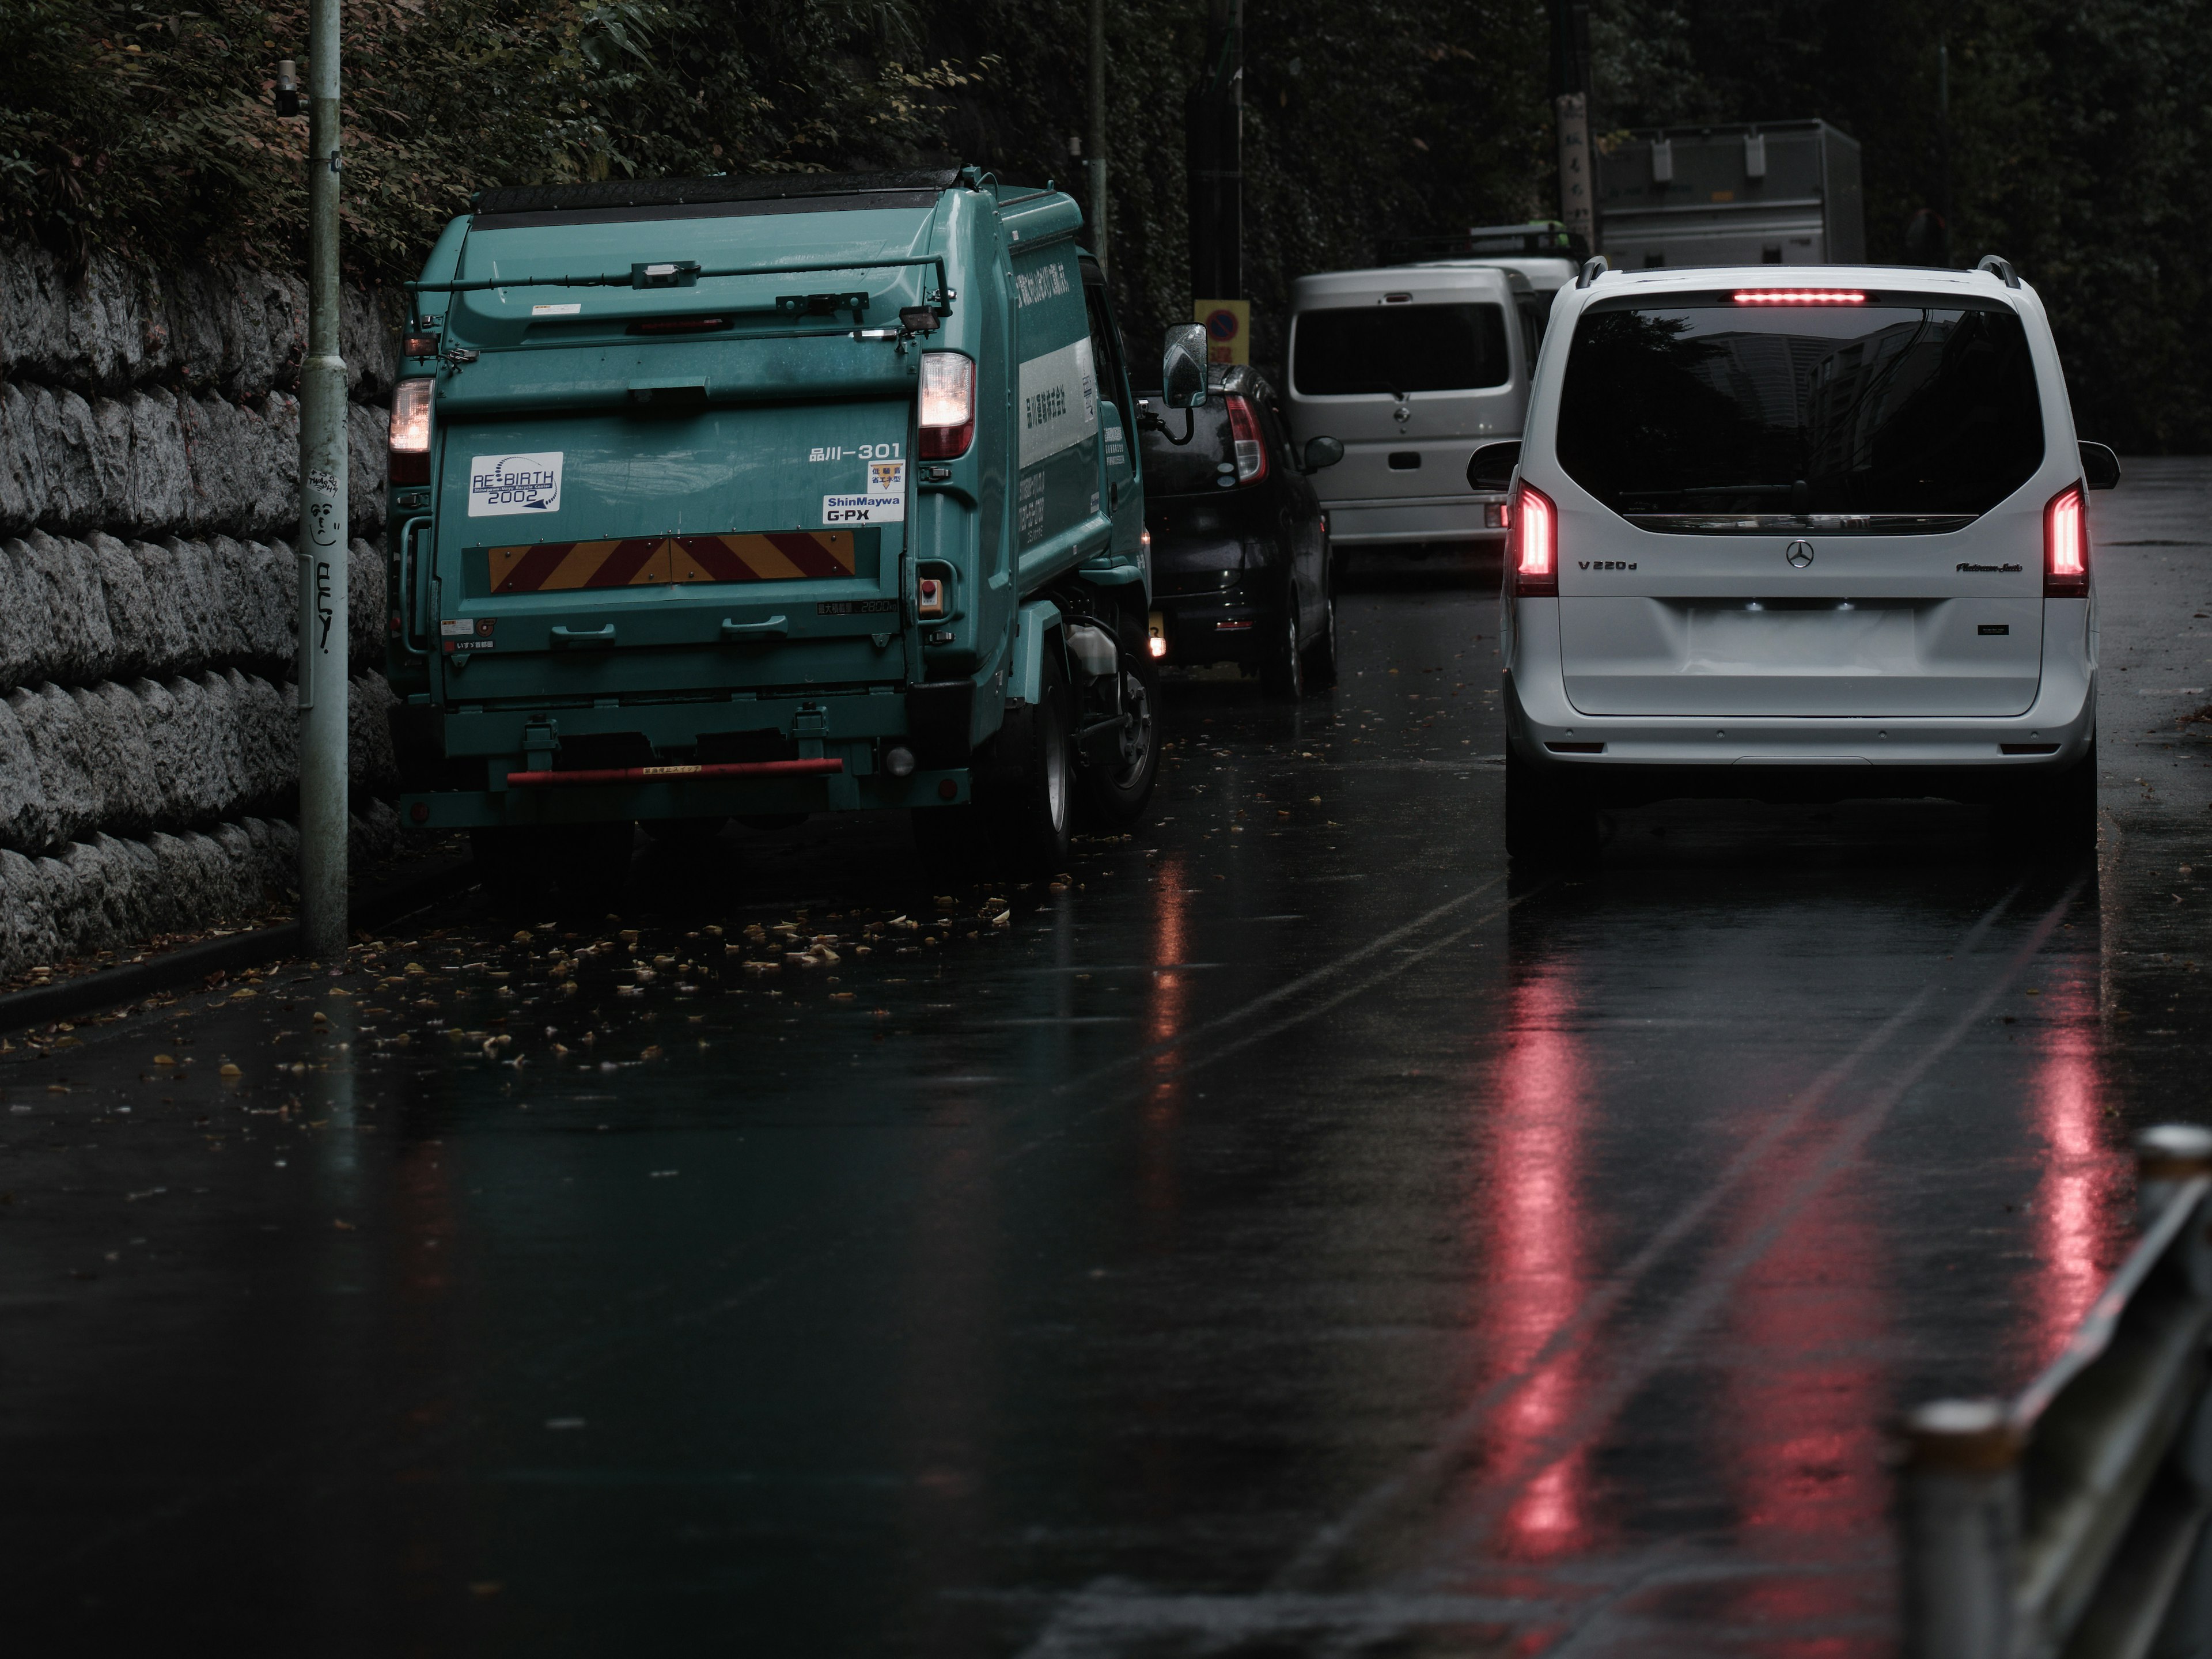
x=691 y=797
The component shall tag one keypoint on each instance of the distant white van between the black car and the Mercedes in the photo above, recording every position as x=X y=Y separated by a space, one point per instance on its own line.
x=1415 y=371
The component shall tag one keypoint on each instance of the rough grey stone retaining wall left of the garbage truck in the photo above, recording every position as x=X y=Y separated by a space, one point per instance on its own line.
x=149 y=479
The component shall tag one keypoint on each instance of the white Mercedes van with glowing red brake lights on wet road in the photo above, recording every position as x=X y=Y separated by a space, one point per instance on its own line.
x=1799 y=536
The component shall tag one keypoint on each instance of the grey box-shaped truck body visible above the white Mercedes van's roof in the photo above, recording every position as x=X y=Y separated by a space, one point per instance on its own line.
x=1766 y=194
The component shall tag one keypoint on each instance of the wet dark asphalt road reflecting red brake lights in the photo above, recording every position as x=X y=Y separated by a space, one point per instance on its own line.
x=1291 y=1238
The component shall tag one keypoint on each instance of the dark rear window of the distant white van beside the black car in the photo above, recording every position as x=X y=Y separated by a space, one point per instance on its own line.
x=1399 y=348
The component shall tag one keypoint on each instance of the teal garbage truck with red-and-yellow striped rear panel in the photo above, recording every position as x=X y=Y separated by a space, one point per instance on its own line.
x=766 y=497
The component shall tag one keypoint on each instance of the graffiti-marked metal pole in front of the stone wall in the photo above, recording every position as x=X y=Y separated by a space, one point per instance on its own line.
x=322 y=523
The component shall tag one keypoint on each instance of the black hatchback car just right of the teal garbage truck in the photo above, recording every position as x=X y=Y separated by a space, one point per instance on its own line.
x=1240 y=543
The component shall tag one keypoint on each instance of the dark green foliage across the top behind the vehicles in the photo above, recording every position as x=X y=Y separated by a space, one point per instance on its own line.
x=2078 y=129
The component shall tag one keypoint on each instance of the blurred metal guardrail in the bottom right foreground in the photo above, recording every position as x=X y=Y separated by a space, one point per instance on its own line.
x=2069 y=1523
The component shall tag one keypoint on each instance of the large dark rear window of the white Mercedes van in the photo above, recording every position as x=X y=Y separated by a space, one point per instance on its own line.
x=1877 y=419
